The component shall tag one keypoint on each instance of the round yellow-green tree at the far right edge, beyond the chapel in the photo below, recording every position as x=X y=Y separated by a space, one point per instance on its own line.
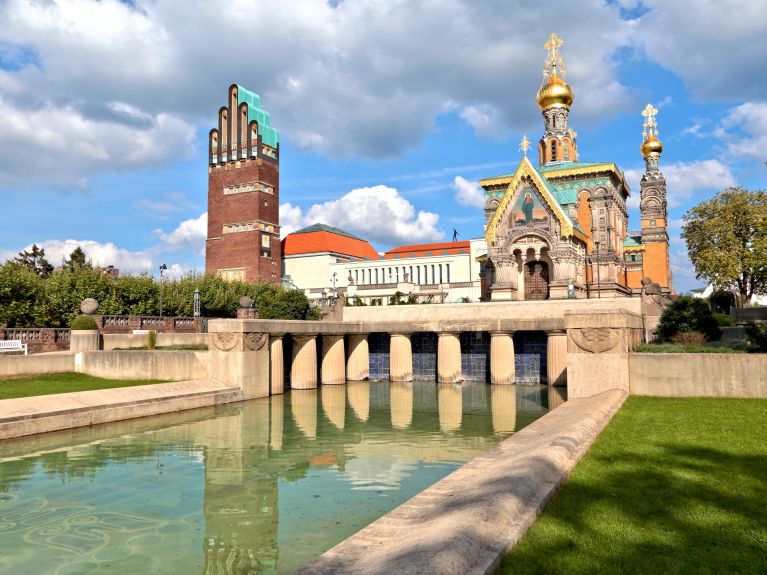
x=726 y=240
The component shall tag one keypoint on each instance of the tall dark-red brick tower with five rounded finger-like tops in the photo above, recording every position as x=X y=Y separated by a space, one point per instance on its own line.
x=243 y=240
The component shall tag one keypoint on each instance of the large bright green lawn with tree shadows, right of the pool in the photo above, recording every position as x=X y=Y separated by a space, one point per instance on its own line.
x=672 y=486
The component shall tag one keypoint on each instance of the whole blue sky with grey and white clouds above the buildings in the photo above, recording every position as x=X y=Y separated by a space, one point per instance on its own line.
x=389 y=111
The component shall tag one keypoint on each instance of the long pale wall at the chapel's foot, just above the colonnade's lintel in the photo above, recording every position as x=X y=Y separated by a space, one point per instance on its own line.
x=523 y=310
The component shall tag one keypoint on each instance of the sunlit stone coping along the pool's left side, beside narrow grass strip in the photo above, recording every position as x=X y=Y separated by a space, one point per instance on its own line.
x=45 y=413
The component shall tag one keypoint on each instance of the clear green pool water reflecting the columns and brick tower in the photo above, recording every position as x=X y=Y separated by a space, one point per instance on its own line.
x=258 y=487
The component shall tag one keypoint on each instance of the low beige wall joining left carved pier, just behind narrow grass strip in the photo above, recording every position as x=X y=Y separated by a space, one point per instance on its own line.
x=164 y=365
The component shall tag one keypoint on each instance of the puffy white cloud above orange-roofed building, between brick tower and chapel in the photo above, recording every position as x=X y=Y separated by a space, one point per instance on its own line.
x=378 y=213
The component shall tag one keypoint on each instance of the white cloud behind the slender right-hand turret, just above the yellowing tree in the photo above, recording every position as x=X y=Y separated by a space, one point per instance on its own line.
x=684 y=179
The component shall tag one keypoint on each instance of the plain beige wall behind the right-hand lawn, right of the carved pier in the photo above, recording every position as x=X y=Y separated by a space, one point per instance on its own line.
x=698 y=374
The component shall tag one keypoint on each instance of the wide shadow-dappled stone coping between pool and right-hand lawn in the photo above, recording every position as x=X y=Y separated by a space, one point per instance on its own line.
x=466 y=522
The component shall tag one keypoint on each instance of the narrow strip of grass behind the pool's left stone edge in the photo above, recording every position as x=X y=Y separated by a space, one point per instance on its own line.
x=62 y=383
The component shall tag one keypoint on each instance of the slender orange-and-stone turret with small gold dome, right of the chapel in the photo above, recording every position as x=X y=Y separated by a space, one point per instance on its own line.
x=654 y=206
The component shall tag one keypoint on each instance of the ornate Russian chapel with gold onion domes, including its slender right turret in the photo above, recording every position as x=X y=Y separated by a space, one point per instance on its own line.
x=560 y=229
